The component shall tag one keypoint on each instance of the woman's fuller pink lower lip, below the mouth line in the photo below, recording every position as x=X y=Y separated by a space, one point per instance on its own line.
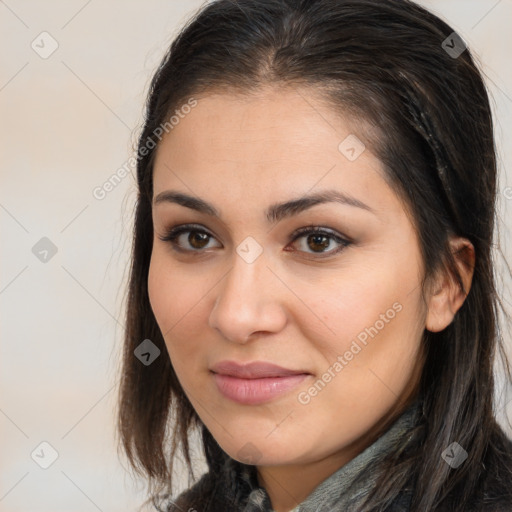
x=256 y=391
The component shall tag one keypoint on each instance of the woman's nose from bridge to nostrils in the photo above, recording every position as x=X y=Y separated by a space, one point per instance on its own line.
x=249 y=301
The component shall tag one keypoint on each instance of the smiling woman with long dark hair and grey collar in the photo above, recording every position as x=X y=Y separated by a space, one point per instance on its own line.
x=312 y=284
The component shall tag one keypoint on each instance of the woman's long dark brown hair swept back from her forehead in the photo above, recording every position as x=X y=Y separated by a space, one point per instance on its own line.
x=391 y=64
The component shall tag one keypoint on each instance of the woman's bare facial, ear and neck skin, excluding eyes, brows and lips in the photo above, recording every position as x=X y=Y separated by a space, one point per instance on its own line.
x=291 y=306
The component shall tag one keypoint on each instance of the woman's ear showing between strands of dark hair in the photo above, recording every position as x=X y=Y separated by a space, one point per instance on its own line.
x=447 y=297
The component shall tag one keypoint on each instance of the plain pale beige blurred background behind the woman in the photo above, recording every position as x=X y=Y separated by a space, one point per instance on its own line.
x=73 y=80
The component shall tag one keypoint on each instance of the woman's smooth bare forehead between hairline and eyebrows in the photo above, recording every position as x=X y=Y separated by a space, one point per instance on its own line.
x=272 y=145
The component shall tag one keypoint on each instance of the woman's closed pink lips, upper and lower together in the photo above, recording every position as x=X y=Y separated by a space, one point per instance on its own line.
x=256 y=382
